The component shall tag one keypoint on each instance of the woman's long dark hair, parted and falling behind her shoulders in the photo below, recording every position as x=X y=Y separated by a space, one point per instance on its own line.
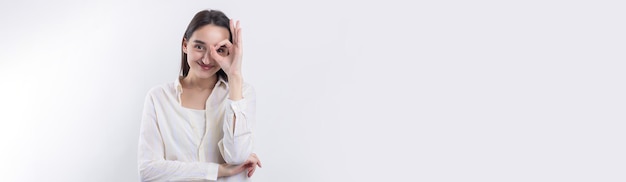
x=202 y=18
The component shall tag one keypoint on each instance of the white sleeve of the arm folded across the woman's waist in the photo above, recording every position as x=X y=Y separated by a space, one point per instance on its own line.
x=151 y=154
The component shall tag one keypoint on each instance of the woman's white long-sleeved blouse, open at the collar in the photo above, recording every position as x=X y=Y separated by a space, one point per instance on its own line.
x=171 y=150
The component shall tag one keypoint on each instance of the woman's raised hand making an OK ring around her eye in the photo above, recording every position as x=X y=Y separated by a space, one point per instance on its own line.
x=231 y=62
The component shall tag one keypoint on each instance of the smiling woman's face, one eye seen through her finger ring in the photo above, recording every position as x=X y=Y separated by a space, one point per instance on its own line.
x=201 y=64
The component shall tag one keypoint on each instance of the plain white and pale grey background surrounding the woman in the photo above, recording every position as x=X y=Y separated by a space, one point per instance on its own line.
x=347 y=91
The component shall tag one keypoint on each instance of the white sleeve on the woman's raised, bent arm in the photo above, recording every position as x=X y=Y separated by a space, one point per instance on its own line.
x=239 y=116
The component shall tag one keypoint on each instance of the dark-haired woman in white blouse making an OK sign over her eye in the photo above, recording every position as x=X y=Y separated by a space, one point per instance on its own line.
x=199 y=127
